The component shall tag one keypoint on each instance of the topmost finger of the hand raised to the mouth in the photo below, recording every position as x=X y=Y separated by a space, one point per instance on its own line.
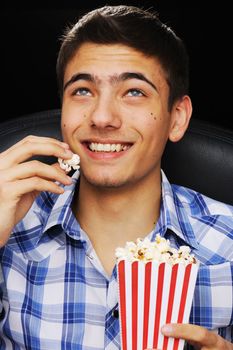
x=29 y=149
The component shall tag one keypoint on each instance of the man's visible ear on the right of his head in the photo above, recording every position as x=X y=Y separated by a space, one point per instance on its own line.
x=180 y=117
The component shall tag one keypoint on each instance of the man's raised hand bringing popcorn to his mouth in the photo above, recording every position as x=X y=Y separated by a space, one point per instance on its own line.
x=22 y=179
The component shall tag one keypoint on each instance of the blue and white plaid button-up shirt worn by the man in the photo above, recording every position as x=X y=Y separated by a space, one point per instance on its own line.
x=55 y=294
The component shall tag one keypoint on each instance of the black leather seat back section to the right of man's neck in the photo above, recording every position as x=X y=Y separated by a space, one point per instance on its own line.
x=202 y=160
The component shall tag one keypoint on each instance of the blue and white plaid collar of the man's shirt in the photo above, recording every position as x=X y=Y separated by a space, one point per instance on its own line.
x=173 y=214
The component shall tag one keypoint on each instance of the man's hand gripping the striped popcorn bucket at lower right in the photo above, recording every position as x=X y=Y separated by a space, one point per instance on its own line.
x=199 y=337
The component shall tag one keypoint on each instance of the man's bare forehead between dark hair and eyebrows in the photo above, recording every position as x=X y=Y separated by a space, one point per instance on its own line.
x=108 y=61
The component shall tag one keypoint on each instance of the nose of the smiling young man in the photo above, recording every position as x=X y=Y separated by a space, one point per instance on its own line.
x=105 y=114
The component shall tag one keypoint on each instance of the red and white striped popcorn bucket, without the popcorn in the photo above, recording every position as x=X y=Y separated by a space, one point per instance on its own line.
x=150 y=295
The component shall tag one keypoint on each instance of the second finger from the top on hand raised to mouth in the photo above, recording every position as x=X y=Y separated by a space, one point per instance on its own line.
x=35 y=168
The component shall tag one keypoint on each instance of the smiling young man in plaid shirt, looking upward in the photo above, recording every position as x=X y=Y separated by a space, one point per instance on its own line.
x=123 y=77
